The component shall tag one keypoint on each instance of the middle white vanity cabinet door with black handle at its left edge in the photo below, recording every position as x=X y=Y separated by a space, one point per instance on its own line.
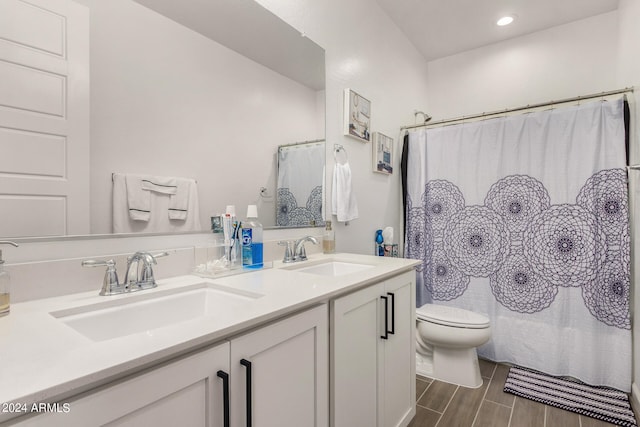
x=280 y=373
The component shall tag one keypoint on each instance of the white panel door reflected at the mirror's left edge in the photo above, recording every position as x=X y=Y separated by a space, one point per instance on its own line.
x=44 y=118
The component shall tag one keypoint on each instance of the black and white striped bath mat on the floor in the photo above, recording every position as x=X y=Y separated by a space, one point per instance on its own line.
x=602 y=403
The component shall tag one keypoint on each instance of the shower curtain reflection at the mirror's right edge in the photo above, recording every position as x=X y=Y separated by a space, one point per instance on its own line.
x=300 y=184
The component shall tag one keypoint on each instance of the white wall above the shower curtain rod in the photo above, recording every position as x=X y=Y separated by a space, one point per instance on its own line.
x=578 y=58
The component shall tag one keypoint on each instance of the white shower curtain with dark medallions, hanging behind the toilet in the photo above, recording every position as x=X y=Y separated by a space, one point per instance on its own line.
x=525 y=219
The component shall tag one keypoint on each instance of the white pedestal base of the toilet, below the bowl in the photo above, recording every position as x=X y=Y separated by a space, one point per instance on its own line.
x=454 y=366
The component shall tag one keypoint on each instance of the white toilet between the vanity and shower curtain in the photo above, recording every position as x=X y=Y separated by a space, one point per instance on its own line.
x=447 y=338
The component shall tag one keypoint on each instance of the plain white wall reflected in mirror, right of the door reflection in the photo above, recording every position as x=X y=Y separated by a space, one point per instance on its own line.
x=166 y=100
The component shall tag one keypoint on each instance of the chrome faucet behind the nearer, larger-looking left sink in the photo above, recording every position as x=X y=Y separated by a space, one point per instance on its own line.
x=139 y=273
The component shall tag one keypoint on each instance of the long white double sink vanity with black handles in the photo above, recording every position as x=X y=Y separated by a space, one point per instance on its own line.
x=324 y=342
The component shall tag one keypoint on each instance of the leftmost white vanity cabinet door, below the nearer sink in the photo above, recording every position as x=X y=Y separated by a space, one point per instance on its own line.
x=184 y=393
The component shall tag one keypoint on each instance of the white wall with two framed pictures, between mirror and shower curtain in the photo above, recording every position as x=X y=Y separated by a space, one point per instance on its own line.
x=366 y=52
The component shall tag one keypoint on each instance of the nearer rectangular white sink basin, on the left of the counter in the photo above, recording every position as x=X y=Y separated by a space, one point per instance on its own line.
x=139 y=312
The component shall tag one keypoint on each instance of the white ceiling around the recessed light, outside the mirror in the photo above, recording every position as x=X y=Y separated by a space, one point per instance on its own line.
x=440 y=28
